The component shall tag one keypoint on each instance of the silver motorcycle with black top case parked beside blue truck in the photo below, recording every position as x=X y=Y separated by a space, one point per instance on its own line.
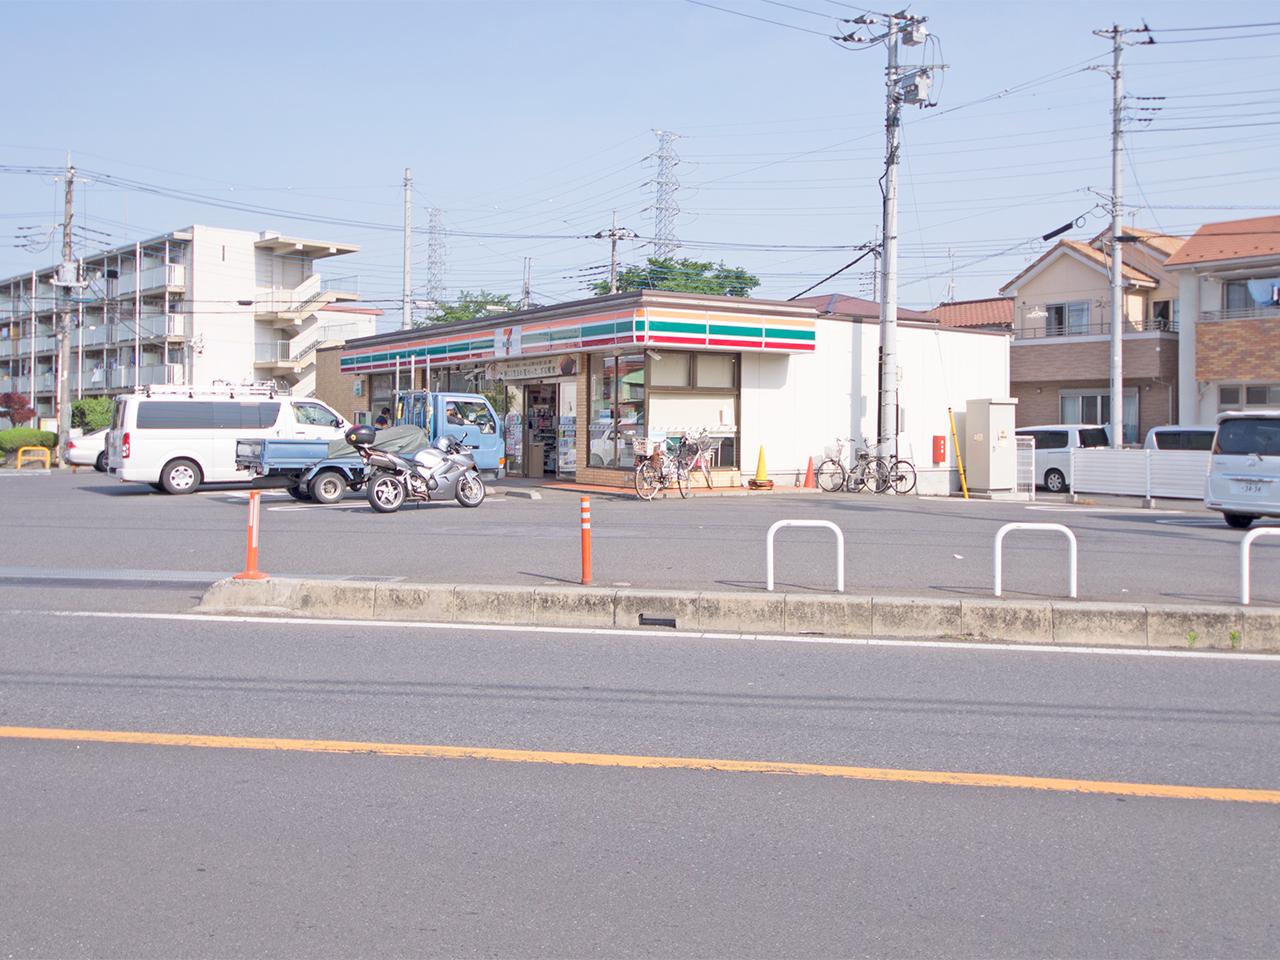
x=442 y=472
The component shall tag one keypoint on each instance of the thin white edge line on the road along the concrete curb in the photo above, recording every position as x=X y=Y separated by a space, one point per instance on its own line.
x=653 y=634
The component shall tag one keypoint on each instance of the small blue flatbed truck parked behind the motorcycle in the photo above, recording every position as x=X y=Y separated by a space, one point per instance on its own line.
x=323 y=472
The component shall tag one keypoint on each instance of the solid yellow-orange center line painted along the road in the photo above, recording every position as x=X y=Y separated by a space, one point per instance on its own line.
x=670 y=764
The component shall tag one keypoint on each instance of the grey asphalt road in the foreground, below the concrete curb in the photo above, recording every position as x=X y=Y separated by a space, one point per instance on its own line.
x=113 y=849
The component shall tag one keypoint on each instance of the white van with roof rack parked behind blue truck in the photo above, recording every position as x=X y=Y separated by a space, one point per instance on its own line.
x=179 y=438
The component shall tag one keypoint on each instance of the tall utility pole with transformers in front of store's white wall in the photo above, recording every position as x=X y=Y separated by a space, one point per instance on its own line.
x=911 y=86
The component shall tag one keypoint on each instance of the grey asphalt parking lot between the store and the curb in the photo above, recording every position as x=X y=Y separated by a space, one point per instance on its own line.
x=895 y=546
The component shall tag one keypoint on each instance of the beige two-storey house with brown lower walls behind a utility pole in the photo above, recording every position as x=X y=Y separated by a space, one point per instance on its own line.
x=1060 y=360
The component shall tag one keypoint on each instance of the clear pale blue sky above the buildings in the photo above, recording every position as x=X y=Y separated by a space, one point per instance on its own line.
x=529 y=124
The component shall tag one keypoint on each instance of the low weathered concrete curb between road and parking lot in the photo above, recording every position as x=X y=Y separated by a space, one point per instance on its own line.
x=1060 y=623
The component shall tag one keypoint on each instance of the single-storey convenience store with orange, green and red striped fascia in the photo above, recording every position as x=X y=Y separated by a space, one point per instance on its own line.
x=577 y=381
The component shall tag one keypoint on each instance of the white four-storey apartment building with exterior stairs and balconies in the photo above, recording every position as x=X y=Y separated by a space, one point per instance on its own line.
x=194 y=307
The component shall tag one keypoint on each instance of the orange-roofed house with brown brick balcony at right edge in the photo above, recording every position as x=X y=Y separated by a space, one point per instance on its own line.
x=1229 y=348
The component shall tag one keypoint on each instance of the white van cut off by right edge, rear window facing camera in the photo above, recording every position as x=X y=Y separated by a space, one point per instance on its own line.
x=1245 y=468
